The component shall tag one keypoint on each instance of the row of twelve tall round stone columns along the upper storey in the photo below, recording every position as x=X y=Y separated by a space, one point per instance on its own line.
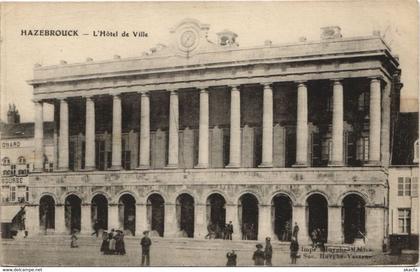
x=235 y=129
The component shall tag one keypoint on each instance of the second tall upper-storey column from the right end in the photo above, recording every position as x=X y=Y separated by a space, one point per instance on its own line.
x=337 y=125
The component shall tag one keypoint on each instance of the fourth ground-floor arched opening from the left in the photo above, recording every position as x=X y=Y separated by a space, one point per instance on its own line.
x=127 y=214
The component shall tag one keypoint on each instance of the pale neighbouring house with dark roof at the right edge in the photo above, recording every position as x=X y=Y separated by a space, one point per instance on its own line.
x=403 y=182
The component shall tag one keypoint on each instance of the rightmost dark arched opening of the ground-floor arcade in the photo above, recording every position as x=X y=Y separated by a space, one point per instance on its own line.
x=354 y=218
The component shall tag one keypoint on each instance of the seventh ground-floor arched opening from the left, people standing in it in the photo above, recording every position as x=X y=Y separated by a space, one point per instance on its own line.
x=216 y=215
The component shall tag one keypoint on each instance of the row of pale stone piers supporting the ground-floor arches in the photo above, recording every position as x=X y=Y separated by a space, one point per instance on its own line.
x=374 y=221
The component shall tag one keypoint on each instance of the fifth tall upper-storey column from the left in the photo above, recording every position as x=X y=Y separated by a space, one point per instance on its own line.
x=144 y=152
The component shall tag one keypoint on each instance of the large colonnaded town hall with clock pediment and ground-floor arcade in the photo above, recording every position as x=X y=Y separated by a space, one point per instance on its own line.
x=197 y=133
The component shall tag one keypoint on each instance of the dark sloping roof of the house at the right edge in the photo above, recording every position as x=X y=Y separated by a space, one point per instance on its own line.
x=406 y=133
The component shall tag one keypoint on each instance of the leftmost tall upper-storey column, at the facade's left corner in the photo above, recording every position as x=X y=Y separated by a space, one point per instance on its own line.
x=39 y=137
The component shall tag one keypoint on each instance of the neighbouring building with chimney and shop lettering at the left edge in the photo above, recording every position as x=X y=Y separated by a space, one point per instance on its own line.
x=17 y=160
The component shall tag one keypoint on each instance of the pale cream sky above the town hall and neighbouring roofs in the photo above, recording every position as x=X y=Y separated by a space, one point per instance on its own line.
x=280 y=22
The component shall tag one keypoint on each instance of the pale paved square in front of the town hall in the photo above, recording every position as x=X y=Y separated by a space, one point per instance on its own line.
x=53 y=252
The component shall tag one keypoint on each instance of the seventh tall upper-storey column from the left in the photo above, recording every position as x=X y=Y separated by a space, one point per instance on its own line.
x=203 y=142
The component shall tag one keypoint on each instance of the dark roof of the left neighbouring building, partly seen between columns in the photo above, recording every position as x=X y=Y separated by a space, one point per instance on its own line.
x=24 y=130
